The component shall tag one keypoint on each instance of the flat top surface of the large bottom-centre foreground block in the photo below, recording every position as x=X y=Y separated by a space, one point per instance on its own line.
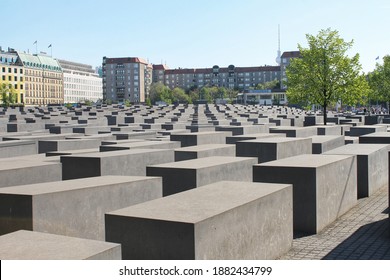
x=201 y=203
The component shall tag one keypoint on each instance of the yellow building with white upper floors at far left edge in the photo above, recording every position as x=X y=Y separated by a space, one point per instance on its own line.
x=12 y=73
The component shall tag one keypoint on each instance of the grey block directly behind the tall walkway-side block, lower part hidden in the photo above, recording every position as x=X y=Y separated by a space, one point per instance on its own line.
x=267 y=149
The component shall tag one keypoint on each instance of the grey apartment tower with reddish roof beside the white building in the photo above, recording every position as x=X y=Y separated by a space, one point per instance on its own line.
x=126 y=78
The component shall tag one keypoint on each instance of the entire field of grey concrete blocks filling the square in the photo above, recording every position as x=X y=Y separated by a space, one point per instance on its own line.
x=184 y=181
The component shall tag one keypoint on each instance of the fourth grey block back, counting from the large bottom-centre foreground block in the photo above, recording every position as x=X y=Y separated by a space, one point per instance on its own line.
x=200 y=138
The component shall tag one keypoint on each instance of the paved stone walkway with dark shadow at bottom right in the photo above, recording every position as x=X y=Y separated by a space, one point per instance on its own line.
x=361 y=233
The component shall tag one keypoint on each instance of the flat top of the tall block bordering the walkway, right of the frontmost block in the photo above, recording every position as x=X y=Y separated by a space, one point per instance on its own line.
x=309 y=161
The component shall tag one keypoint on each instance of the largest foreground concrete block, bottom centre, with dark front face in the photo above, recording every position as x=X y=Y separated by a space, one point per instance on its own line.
x=225 y=220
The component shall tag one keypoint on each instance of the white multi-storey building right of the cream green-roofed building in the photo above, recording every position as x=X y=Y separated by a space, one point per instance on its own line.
x=81 y=82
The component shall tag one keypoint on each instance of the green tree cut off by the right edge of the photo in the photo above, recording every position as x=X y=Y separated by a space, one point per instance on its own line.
x=379 y=81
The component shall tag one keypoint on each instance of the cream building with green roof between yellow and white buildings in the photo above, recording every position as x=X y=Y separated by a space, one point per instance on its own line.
x=43 y=79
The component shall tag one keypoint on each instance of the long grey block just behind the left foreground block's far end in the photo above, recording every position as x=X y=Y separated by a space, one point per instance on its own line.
x=124 y=162
